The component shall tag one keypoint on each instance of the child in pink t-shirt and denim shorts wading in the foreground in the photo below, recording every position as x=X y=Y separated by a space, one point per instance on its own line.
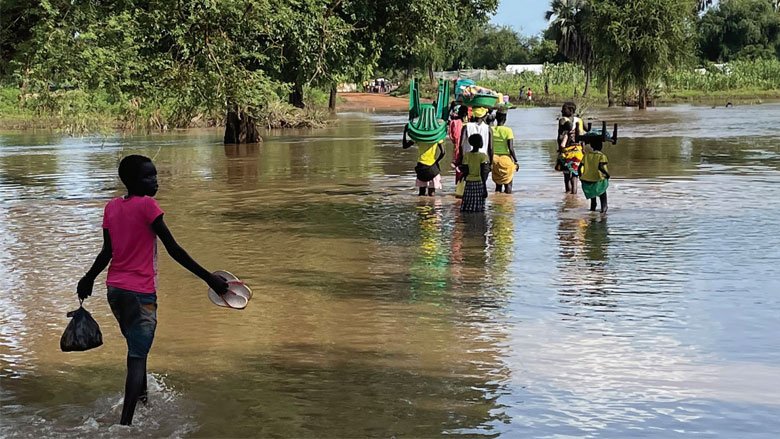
x=131 y=226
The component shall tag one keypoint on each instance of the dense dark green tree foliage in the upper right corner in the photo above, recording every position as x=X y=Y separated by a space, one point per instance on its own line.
x=740 y=29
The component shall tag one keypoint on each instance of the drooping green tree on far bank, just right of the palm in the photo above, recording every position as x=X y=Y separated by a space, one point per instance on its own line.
x=640 y=40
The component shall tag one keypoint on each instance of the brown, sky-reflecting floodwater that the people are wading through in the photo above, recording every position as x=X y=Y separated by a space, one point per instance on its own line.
x=378 y=314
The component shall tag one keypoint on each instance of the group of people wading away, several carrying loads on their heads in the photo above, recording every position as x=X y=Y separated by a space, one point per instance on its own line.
x=483 y=145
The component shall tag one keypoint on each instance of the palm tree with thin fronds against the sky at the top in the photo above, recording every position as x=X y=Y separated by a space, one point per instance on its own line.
x=567 y=19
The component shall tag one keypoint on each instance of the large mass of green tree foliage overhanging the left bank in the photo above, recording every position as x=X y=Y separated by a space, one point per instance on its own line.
x=165 y=64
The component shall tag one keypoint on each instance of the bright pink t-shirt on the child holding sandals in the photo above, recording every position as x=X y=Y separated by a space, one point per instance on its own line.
x=133 y=243
